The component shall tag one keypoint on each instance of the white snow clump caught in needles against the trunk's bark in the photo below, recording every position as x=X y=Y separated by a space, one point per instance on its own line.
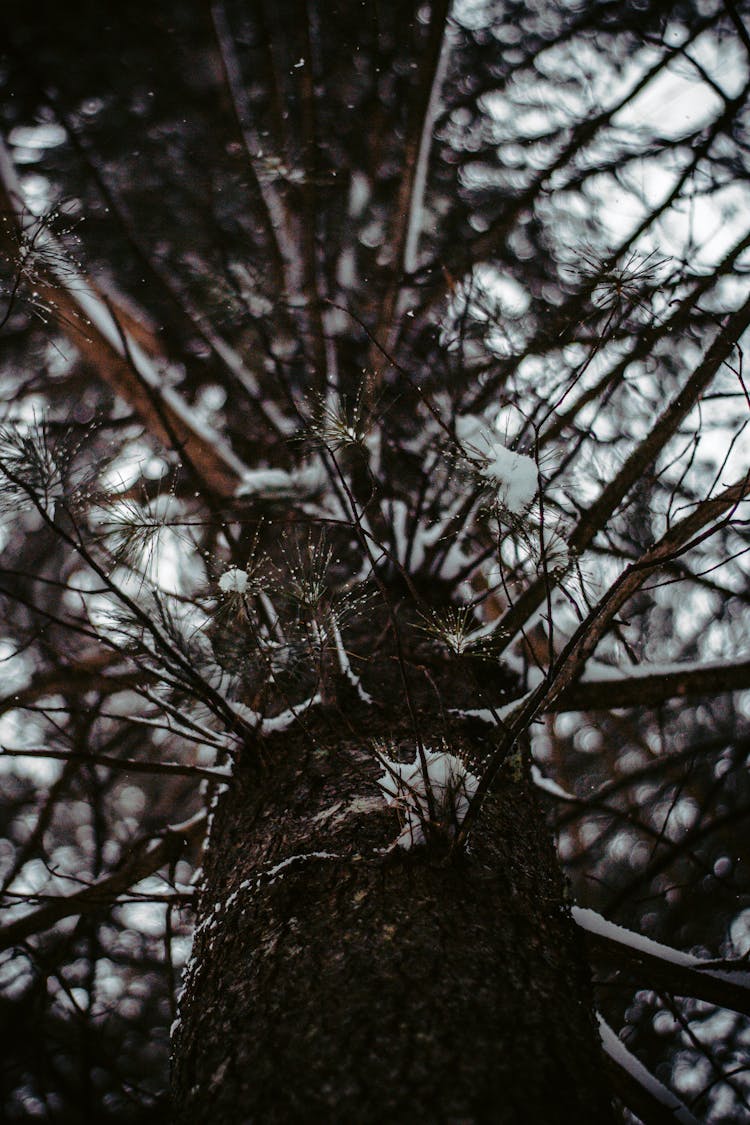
x=405 y=787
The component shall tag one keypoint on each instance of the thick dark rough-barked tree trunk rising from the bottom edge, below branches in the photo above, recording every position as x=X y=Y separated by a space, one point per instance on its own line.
x=339 y=980
